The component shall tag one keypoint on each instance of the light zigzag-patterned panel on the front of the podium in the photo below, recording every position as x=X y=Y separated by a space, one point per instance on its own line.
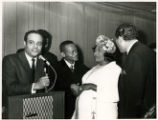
x=38 y=108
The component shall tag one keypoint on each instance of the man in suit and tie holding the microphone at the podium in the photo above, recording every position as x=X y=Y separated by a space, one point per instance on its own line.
x=23 y=72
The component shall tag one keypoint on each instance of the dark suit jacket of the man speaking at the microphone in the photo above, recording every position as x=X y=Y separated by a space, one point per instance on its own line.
x=17 y=74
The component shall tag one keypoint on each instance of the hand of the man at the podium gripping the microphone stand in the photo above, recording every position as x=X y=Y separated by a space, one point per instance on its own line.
x=42 y=83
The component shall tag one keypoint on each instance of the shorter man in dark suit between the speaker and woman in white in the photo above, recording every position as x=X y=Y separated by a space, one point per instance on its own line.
x=70 y=72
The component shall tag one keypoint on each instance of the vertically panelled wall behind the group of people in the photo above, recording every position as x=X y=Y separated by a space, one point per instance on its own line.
x=76 y=21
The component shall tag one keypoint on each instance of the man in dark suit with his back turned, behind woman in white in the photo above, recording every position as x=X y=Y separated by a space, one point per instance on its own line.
x=137 y=85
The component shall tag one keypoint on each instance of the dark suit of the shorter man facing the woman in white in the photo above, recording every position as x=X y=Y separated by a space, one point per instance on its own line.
x=65 y=79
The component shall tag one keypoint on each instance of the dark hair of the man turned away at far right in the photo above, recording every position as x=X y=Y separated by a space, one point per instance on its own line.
x=127 y=31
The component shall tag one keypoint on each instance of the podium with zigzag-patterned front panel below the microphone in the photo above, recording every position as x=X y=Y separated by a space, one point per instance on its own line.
x=37 y=106
